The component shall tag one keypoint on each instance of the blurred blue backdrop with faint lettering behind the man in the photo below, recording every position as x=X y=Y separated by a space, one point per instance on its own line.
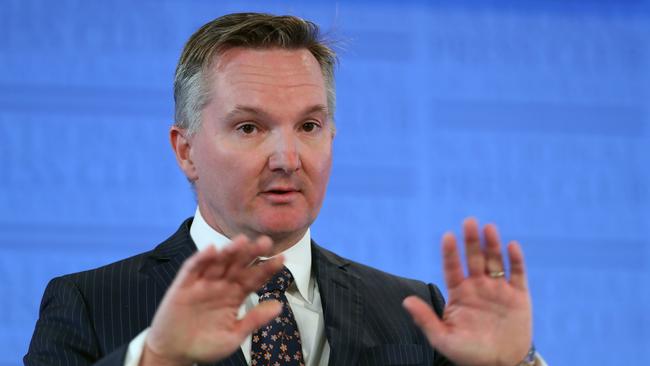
x=529 y=114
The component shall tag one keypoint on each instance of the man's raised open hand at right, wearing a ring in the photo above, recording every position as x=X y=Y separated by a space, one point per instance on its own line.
x=487 y=320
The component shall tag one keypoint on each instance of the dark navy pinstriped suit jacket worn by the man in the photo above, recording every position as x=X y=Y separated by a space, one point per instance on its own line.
x=90 y=317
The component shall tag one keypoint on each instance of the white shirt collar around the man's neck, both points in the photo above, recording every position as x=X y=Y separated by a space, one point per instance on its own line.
x=297 y=258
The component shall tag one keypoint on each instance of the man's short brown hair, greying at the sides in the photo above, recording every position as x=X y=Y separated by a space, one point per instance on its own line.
x=249 y=30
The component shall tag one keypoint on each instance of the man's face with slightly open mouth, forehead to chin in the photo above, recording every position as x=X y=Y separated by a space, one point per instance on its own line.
x=263 y=153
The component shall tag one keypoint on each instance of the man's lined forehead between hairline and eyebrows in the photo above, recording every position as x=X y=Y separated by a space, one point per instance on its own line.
x=288 y=76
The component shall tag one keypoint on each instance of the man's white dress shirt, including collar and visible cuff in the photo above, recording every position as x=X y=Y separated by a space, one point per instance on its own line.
x=303 y=297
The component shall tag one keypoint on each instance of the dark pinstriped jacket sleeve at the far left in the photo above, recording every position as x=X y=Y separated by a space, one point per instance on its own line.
x=64 y=334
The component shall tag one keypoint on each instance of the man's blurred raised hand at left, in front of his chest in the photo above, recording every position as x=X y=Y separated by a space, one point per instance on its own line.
x=197 y=318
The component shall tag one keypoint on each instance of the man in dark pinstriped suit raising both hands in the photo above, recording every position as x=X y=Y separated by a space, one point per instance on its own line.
x=253 y=134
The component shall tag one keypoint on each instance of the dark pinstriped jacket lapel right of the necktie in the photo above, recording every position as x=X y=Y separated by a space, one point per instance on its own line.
x=342 y=305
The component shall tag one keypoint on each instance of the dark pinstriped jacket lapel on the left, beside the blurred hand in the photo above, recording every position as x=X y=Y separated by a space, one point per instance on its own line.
x=165 y=261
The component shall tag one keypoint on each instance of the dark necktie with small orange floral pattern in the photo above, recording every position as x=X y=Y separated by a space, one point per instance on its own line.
x=277 y=343
